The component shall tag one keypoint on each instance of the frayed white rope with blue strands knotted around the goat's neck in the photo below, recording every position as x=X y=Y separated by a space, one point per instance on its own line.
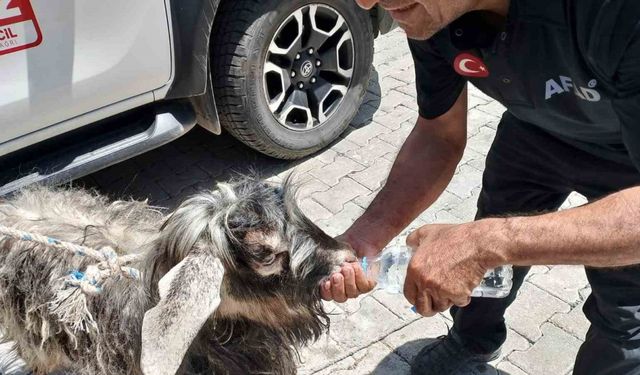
x=70 y=302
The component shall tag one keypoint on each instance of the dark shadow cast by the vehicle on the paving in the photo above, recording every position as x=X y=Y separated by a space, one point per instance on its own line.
x=197 y=161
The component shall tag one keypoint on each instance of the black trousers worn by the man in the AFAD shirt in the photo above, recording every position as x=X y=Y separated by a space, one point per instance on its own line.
x=530 y=171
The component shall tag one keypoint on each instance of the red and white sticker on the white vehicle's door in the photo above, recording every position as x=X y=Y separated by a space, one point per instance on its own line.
x=19 y=27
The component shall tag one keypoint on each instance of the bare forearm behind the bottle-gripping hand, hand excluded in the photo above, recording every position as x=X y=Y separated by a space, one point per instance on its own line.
x=602 y=234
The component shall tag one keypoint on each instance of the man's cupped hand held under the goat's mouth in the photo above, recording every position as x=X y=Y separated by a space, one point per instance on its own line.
x=351 y=281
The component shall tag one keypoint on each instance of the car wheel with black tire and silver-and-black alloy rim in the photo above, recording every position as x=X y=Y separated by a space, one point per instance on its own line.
x=250 y=38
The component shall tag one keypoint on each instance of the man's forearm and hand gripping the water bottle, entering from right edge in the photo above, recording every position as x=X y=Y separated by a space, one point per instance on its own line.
x=450 y=260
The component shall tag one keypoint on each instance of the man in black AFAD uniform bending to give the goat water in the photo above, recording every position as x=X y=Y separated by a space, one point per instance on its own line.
x=568 y=72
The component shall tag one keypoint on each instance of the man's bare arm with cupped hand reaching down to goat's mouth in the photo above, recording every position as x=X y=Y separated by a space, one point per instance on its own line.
x=422 y=170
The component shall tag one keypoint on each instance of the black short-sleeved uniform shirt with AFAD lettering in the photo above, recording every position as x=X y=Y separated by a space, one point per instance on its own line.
x=571 y=67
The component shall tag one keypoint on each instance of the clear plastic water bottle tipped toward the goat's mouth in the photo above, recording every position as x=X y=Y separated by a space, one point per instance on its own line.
x=389 y=269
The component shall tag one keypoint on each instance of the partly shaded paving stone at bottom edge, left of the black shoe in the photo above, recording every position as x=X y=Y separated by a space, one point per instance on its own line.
x=377 y=359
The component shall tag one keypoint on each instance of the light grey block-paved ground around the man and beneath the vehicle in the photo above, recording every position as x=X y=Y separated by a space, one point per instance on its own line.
x=377 y=334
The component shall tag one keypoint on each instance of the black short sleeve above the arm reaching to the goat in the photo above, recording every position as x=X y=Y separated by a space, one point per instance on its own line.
x=438 y=85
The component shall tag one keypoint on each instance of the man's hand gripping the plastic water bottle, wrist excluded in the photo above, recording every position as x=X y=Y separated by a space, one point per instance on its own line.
x=448 y=263
